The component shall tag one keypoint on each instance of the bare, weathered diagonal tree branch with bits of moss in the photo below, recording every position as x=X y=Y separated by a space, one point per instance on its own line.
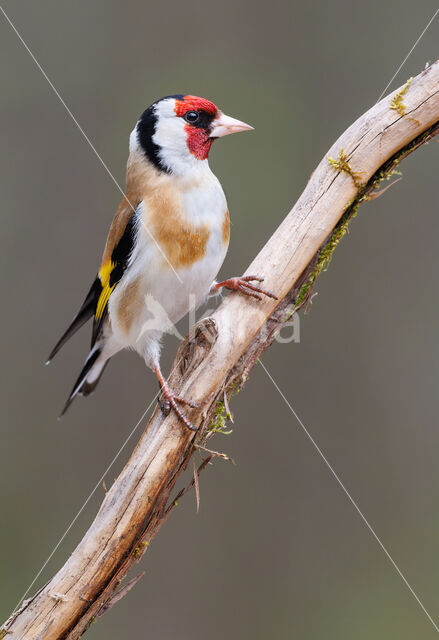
x=216 y=359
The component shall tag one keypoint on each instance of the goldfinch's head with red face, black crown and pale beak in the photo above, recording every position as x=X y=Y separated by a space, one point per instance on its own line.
x=177 y=132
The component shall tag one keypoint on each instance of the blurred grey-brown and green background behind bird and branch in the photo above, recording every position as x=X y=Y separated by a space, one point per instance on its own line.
x=277 y=549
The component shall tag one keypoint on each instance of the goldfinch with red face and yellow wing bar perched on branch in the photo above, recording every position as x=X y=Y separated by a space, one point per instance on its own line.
x=166 y=244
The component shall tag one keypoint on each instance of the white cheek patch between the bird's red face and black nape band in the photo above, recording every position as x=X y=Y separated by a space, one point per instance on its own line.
x=171 y=138
